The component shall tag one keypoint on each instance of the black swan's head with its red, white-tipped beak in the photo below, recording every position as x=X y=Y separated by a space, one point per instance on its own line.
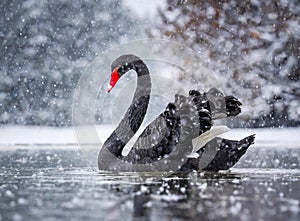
x=119 y=67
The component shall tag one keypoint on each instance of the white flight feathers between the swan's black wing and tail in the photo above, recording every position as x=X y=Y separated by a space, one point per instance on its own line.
x=201 y=140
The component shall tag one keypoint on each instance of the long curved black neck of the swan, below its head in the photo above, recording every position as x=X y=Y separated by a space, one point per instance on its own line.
x=135 y=114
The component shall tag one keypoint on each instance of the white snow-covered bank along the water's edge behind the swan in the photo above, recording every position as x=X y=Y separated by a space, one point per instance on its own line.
x=41 y=137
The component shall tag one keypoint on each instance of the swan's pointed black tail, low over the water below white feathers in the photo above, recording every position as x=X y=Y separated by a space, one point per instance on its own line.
x=229 y=153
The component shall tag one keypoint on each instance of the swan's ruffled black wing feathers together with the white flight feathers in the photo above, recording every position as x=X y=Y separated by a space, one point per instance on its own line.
x=185 y=119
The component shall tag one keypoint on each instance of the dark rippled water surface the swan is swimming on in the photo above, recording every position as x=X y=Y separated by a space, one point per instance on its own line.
x=59 y=185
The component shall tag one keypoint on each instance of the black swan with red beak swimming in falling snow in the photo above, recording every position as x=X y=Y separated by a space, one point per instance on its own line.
x=185 y=119
